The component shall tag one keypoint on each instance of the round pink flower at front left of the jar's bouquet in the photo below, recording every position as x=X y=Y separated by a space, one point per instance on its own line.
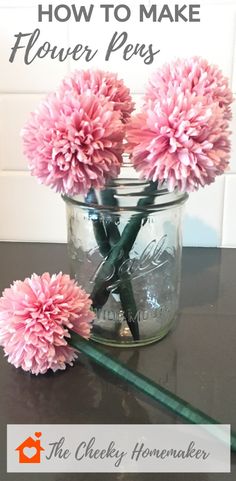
x=74 y=142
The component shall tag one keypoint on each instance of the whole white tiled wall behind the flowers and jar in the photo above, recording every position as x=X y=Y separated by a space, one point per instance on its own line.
x=30 y=212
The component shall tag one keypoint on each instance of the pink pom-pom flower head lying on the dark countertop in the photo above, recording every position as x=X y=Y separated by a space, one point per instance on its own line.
x=35 y=316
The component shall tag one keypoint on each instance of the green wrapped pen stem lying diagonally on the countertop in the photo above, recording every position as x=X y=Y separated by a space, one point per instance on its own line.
x=145 y=385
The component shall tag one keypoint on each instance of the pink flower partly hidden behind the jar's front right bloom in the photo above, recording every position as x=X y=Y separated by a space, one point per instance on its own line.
x=192 y=75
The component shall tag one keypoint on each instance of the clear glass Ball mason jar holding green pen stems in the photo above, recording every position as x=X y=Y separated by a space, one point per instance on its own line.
x=125 y=245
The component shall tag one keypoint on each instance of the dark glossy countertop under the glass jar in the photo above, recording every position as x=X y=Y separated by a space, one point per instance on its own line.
x=196 y=361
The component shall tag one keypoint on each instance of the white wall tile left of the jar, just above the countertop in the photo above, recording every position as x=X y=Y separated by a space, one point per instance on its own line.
x=29 y=211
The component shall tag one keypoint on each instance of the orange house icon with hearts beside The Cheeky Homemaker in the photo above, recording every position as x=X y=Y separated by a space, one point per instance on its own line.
x=30 y=450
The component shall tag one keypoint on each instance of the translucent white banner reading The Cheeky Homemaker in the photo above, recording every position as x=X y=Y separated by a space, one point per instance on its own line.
x=118 y=448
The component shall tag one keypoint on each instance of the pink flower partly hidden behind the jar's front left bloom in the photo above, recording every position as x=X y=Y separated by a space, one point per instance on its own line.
x=105 y=84
